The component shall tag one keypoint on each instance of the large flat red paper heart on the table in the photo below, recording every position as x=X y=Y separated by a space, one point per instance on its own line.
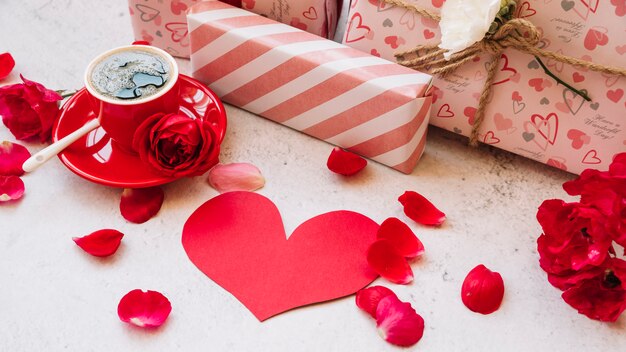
x=238 y=240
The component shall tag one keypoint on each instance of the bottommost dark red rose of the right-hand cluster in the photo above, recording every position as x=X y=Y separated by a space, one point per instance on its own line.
x=602 y=297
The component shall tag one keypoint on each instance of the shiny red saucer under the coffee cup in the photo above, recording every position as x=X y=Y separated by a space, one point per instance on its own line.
x=98 y=159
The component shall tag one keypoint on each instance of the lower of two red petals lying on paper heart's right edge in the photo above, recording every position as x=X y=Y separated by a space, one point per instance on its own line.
x=388 y=263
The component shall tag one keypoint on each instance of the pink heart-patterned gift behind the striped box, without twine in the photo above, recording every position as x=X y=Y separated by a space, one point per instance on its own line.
x=163 y=23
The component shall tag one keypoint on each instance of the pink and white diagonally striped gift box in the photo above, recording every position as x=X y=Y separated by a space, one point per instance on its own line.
x=365 y=104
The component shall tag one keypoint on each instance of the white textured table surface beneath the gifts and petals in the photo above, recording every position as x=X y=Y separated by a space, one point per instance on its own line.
x=54 y=297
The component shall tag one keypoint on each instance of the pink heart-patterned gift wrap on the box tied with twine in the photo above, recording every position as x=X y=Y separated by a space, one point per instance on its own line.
x=529 y=114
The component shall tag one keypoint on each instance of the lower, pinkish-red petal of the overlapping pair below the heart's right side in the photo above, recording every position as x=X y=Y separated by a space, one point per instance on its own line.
x=398 y=323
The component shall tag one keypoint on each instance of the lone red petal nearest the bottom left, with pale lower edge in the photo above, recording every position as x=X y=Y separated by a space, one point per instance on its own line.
x=144 y=309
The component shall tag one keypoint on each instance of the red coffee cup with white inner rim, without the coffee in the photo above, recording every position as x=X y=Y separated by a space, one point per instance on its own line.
x=121 y=117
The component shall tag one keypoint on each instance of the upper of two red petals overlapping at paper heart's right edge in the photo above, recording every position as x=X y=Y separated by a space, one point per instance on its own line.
x=402 y=238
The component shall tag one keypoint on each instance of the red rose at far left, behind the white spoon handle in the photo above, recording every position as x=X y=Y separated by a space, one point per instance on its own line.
x=29 y=109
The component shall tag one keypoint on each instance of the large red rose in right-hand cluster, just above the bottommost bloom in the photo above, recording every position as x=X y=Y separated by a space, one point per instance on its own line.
x=573 y=238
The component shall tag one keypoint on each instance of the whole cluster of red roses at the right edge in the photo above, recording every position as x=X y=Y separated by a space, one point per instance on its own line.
x=582 y=242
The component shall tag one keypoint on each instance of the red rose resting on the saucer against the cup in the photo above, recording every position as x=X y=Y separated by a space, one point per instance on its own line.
x=177 y=145
